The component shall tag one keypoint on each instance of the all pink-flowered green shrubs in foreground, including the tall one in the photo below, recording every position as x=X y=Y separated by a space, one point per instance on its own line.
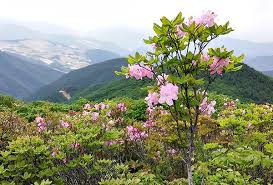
x=180 y=134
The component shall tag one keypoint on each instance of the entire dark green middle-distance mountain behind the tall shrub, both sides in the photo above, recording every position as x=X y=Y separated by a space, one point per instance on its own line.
x=98 y=82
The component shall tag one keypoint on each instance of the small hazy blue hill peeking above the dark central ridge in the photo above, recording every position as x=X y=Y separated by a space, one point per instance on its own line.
x=99 y=55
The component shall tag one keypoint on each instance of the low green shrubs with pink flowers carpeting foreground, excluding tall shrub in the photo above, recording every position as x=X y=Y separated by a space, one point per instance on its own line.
x=112 y=147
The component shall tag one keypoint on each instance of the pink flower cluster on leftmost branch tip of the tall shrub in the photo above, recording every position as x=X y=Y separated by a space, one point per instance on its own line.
x=139 y=72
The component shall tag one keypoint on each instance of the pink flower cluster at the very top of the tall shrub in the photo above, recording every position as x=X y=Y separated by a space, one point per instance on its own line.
x=207 y=19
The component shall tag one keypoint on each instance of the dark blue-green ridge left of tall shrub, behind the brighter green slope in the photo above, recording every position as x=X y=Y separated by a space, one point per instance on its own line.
x=78 y=80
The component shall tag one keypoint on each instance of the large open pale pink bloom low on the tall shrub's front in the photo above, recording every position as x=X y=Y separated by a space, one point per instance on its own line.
x=168 y=93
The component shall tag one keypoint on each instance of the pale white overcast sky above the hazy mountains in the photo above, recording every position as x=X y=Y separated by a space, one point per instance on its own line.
x=251 y=19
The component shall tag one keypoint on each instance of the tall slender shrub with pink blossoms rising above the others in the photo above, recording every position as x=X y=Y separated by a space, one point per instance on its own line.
x=180 y=66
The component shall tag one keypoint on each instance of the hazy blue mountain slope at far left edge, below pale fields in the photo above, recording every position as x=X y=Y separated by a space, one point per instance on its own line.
x=20 y=77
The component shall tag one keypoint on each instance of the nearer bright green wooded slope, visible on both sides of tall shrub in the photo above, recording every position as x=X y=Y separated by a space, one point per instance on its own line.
x=246 y=84
